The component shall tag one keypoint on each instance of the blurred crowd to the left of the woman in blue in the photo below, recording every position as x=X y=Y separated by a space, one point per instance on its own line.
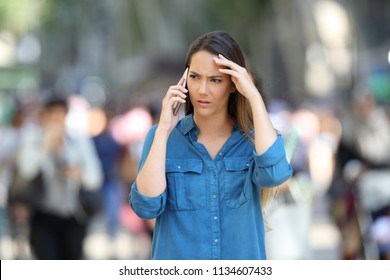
x=51 y=149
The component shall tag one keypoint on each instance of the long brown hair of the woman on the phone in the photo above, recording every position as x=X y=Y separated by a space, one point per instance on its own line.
x=239 y=109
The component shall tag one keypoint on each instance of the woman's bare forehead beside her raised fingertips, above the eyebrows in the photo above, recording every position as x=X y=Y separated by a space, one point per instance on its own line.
x=203 y=62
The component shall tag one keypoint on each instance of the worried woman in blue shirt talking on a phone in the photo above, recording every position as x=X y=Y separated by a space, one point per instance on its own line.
x=201 y=176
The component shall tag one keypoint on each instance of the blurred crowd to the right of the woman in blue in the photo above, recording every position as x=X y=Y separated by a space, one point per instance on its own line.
x=340 y=154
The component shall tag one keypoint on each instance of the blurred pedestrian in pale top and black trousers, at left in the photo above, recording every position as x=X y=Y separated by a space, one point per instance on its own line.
x=58 y=165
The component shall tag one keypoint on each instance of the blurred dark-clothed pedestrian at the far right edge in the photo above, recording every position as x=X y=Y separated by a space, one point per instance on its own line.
x=364 y=155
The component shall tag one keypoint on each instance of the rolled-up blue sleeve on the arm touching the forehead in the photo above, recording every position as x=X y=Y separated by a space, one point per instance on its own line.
x=271 y=167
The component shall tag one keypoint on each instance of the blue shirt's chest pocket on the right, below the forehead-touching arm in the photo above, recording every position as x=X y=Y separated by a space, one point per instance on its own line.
x=237 y=192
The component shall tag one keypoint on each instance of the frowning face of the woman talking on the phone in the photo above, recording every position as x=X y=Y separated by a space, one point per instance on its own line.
x=209 y=89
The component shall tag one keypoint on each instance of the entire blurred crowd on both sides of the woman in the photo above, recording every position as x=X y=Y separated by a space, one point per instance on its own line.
x=340 y=155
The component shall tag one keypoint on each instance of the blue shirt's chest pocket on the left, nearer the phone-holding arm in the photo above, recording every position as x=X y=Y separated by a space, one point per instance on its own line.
x=186 y=185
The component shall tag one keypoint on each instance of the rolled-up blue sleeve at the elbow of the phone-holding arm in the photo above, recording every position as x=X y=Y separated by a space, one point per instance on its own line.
x=147 y=207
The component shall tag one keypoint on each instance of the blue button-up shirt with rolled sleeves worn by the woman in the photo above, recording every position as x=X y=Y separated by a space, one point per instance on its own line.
x=210 y=208
